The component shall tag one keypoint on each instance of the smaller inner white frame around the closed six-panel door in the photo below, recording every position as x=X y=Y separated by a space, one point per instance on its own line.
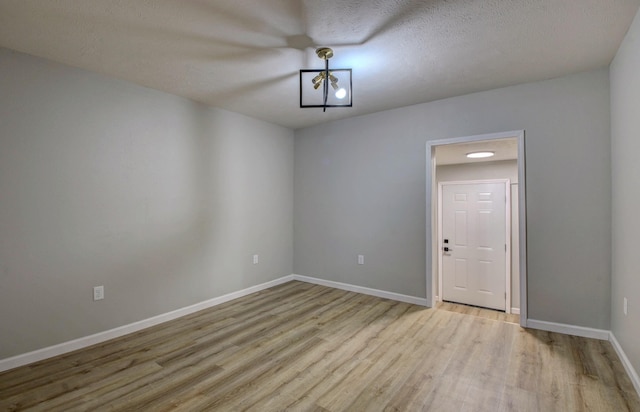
x=507 y=234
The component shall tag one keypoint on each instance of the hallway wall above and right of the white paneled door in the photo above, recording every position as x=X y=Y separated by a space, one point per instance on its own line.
x=505 y=169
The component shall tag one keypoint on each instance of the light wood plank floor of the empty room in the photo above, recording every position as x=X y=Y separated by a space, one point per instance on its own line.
x=302 y=347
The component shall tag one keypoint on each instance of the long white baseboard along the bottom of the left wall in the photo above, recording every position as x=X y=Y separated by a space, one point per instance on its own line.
x=65 y=347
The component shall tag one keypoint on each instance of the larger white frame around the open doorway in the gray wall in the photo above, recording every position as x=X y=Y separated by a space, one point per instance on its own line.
x=431 y=198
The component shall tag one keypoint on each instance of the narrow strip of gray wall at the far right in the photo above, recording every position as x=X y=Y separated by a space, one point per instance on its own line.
x=625 y=127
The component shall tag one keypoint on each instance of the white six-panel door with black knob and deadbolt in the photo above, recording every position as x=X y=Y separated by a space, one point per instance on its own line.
x=474 y=243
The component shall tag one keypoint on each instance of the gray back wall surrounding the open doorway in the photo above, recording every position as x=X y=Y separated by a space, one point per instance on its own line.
x=359 y=187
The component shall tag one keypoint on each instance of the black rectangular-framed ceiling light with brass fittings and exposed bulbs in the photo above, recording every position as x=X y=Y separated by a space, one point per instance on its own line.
x=325 y=87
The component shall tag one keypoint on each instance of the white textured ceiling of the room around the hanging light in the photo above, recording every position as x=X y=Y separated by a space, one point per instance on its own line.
x=244 y=55
